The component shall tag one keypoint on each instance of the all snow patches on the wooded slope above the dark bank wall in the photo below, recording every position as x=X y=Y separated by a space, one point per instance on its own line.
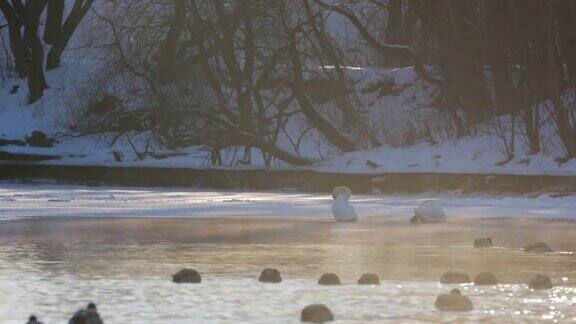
x=392 y=115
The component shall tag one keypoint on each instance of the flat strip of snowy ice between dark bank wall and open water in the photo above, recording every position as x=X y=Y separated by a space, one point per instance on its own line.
x=17 y=201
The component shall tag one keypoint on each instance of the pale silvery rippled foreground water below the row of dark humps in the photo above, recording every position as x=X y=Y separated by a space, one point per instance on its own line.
x=246 y=300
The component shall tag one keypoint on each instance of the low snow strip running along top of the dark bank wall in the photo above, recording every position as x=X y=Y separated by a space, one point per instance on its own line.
x=471 y=155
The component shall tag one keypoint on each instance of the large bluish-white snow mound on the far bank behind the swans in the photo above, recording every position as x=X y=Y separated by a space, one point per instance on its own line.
x=469 y=155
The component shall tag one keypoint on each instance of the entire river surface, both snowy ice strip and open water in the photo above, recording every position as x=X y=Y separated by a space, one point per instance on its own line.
x=54 y=259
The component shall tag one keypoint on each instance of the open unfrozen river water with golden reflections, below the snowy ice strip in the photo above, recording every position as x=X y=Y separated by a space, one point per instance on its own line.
x=51 y=267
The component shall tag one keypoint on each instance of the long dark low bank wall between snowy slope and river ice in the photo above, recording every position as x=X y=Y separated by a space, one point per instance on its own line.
x=302 y=180
